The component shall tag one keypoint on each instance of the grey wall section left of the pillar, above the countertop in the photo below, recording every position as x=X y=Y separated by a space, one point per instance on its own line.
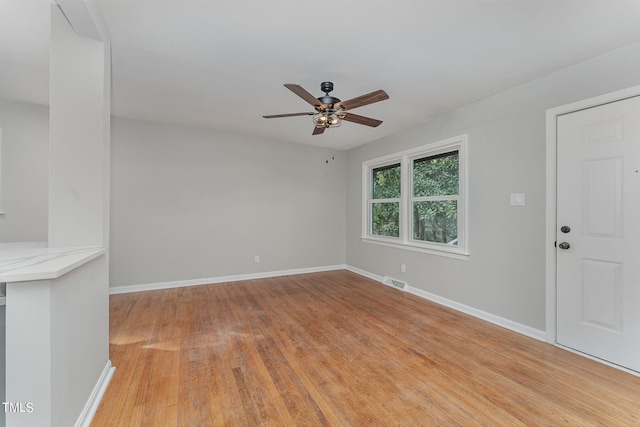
x=24 y=170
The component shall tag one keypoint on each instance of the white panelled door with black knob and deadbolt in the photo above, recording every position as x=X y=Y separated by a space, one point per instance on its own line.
x=598 y=250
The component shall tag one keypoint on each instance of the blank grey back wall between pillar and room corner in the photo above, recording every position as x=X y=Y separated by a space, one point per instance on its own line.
x=189 y=204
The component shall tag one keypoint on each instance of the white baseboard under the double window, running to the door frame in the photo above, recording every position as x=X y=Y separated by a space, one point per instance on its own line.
x=483 y=315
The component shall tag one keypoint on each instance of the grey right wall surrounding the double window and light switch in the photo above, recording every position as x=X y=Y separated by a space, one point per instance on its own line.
x=505 y=273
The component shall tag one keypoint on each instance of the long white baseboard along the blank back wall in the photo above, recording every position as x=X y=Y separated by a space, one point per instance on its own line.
x=222 y=279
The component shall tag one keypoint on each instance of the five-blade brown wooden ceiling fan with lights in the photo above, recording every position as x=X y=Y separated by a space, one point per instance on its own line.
x=330 y=111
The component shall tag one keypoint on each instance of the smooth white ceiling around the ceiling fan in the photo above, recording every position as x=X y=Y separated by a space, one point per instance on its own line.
x=221 y=64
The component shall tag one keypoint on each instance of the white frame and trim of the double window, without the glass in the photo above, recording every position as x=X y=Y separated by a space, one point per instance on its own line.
x=406 y=158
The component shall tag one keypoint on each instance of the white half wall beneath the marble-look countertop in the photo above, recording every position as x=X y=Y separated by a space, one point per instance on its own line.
x=57 y=344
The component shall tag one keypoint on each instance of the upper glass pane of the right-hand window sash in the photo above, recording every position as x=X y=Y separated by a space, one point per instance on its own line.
x=436 y=175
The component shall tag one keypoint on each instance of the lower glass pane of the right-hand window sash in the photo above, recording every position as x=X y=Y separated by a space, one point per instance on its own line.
x=436 y=221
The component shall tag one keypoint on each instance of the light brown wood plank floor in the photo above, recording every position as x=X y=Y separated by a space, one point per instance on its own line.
x=337 y=349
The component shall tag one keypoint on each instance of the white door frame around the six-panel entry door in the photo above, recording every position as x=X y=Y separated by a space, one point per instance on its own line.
x=551 y=208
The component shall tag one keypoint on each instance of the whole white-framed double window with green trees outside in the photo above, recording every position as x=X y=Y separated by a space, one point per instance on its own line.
x=416 y=199
